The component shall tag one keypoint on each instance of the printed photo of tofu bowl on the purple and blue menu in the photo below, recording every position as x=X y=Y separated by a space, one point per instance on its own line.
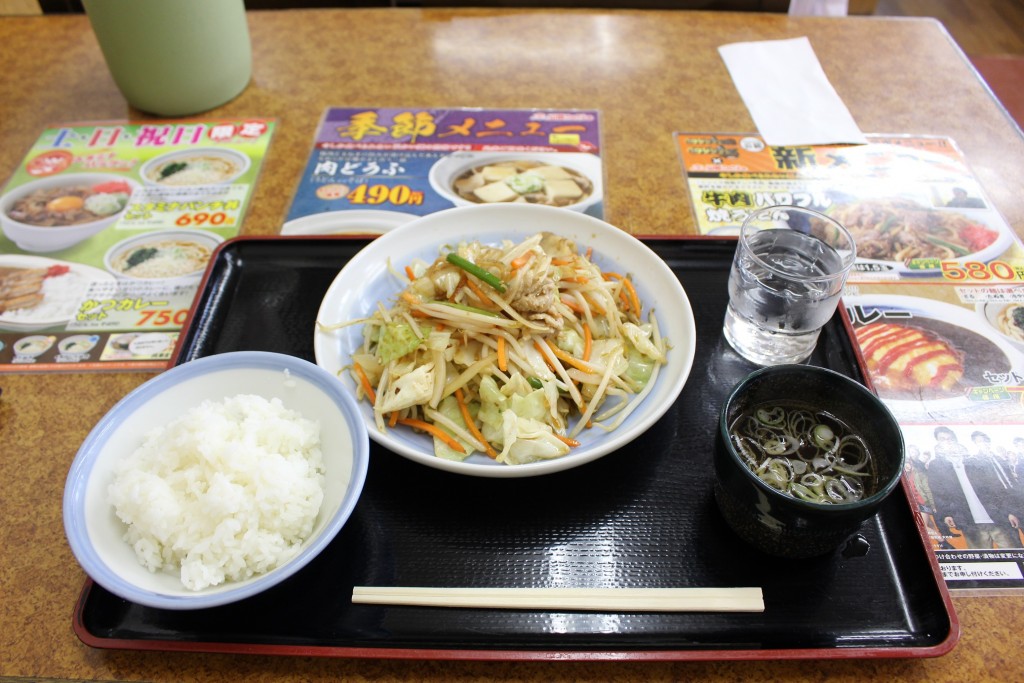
x=570 y=181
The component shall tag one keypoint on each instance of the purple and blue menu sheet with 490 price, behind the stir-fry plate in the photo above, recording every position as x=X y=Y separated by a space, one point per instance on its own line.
x=373 y=169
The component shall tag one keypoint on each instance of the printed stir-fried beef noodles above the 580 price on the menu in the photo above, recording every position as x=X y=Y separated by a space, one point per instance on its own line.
x=898 y=230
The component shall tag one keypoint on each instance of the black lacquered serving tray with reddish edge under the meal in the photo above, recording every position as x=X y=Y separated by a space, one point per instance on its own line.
x=642 y=517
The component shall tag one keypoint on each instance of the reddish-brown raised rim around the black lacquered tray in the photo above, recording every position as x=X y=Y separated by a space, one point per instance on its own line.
x=940 y=649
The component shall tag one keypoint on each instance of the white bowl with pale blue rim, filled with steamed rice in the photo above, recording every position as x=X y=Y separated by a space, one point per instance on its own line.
x=216 y=481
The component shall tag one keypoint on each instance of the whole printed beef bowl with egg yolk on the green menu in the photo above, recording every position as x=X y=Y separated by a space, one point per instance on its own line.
x=61 y=211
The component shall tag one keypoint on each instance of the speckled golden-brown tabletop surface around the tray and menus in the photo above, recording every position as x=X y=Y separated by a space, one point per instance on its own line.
x=650 y=73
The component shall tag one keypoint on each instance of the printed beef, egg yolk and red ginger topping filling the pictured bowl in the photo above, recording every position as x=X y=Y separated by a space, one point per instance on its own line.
x=71 y=205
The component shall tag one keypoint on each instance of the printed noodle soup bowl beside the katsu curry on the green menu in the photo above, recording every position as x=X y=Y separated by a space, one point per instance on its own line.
x=164 y=255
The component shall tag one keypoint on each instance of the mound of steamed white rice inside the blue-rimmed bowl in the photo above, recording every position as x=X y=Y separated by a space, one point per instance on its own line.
x=229 y=491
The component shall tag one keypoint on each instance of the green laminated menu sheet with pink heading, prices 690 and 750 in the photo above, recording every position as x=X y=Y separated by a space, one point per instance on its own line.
x=107 y=231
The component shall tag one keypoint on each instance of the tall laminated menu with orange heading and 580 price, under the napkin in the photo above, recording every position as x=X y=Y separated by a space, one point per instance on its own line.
x=936 y=303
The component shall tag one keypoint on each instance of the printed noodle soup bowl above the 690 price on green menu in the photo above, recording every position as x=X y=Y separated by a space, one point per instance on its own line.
x=198 y=166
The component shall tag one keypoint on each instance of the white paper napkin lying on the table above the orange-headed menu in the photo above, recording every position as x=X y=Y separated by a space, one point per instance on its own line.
x=789 y=95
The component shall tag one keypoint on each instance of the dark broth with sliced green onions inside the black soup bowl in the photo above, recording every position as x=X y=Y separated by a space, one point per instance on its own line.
x=807 y=454
